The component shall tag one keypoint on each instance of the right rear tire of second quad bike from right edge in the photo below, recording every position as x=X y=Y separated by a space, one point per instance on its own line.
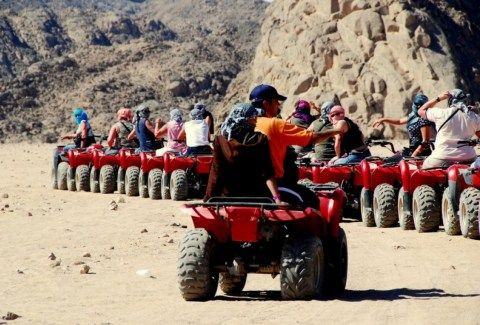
x=425 y=209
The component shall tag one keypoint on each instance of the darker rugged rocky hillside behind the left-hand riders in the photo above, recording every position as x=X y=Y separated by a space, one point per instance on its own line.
x=103 y=55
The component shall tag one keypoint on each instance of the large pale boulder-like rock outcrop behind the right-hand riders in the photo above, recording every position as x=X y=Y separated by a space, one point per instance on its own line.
x=374 y=55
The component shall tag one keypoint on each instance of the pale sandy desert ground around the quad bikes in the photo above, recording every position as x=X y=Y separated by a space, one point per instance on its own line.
x=394 y=276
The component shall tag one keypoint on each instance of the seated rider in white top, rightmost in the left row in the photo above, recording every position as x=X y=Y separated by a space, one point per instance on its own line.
x=196 y=133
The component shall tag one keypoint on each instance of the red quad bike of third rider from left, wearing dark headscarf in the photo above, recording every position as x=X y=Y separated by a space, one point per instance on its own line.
x=128 y=172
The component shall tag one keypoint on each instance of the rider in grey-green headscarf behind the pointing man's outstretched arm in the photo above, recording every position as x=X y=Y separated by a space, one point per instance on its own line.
x=323 y=150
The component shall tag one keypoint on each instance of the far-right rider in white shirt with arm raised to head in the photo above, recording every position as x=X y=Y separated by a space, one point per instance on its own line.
x=454 y=123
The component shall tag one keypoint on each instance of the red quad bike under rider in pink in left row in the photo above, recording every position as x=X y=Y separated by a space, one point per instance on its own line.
x=151 y=176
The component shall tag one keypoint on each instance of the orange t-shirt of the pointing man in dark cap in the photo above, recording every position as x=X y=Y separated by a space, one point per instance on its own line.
x=281 y=134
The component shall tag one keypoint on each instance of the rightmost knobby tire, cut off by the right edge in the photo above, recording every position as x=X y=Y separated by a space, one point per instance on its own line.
x=468 y=213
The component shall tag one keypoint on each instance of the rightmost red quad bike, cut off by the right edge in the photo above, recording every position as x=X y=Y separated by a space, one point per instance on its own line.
x=460 y=201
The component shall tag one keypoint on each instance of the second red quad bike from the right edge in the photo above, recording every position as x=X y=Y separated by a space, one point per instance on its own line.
x=420 y=195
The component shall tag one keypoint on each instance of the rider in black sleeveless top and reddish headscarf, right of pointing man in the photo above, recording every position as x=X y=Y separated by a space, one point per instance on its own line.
x=350 y=144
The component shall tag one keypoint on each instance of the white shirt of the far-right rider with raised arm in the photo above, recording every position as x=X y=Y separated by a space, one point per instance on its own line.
x=462 y=126
